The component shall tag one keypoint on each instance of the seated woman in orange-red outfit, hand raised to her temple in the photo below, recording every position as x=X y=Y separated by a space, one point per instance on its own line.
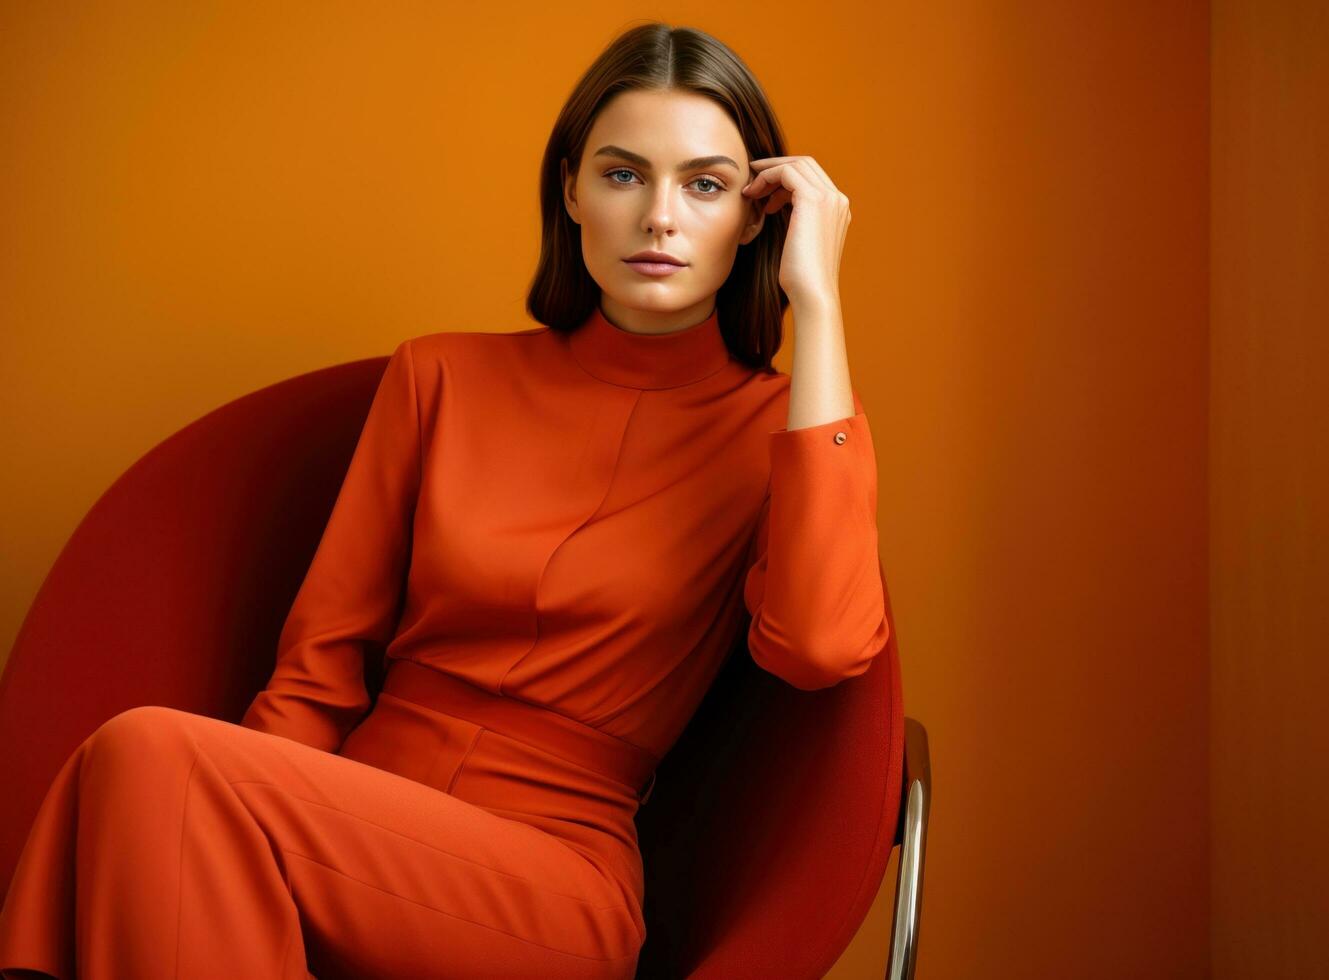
x=556 y=535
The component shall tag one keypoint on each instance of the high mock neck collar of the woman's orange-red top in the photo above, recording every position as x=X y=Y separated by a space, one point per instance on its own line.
x=649 y=361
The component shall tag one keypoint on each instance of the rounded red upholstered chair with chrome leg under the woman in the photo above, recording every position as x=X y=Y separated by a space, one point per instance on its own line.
x=766 y=837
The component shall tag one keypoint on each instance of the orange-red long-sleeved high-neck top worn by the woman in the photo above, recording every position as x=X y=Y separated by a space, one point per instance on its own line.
x=585 y=521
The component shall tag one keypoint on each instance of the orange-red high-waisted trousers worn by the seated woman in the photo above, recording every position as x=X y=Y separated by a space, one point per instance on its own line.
x=175 y=845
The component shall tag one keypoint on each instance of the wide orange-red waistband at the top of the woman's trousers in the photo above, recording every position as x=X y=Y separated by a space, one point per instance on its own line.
x=534 y=724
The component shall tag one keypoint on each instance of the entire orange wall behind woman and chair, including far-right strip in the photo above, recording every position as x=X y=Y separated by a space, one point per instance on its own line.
x=1098 y=447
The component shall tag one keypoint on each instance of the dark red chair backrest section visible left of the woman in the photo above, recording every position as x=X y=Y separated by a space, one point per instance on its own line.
x=173 y=588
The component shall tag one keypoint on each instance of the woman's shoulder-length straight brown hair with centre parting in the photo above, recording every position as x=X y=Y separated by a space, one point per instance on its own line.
x=659 y=58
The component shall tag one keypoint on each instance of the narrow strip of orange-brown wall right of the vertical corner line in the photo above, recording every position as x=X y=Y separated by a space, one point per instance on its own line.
x=1270 y=489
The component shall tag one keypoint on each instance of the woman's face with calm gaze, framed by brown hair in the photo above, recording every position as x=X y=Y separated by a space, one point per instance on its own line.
x=661 y=172
